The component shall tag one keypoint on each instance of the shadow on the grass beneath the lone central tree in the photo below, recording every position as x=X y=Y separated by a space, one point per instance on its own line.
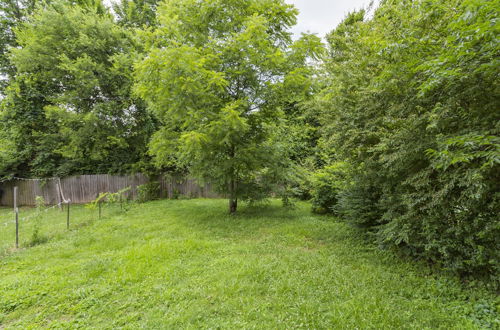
x=210 y=218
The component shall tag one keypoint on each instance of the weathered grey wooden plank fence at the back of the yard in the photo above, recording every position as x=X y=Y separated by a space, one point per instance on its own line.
x=85 y=188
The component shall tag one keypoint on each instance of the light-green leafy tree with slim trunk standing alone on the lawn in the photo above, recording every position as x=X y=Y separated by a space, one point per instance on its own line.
x=217 y=77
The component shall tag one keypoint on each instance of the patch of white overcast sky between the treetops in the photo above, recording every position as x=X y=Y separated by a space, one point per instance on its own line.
x=322 y=16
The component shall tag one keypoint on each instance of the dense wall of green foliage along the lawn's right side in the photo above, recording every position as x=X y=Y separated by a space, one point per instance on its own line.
x=412 y=105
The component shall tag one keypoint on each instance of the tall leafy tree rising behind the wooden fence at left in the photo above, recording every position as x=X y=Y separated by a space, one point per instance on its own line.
x=69 y=105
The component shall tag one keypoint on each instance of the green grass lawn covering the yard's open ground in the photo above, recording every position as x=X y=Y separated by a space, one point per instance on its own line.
x=187 y=264
